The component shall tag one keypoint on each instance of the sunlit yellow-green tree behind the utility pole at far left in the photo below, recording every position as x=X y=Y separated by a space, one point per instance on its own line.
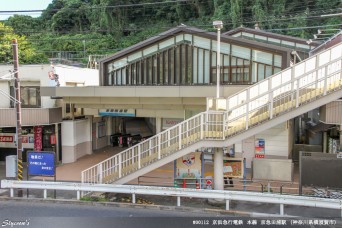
x=27 y=54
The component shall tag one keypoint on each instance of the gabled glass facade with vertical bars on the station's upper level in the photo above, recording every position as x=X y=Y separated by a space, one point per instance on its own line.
x=191 y=60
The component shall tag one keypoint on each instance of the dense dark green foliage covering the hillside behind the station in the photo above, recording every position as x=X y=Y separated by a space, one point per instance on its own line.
x=75 y=28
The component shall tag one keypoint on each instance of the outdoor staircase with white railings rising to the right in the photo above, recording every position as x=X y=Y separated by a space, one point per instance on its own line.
x=298 y=89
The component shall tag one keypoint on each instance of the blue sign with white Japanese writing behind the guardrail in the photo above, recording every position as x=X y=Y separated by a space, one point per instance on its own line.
x=41 y=163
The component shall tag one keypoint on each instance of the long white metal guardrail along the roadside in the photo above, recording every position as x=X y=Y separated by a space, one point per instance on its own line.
x=177 y=192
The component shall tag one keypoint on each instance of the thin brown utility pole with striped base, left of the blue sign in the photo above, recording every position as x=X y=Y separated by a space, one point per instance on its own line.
x=18 y=112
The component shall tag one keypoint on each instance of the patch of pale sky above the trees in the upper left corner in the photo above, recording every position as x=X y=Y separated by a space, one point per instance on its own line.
x=10 y=5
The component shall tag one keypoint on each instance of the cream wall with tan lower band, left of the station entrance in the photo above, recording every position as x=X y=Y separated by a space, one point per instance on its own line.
x=76 y=139
